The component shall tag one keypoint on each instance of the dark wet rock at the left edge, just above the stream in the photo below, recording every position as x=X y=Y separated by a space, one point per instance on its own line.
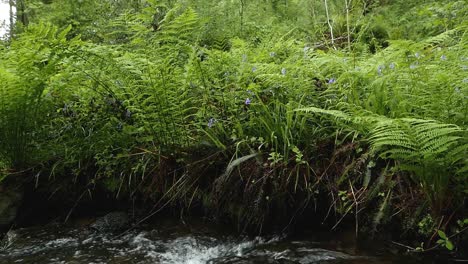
x=10 y=200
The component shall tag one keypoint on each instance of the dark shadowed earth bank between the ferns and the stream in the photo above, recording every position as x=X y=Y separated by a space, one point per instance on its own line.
x=42 y=208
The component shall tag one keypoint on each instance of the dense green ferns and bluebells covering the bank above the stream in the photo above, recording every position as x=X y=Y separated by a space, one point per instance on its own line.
x=256 y=111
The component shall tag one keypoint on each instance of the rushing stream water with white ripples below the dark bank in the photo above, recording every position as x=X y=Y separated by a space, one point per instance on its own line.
x=170 y=243
